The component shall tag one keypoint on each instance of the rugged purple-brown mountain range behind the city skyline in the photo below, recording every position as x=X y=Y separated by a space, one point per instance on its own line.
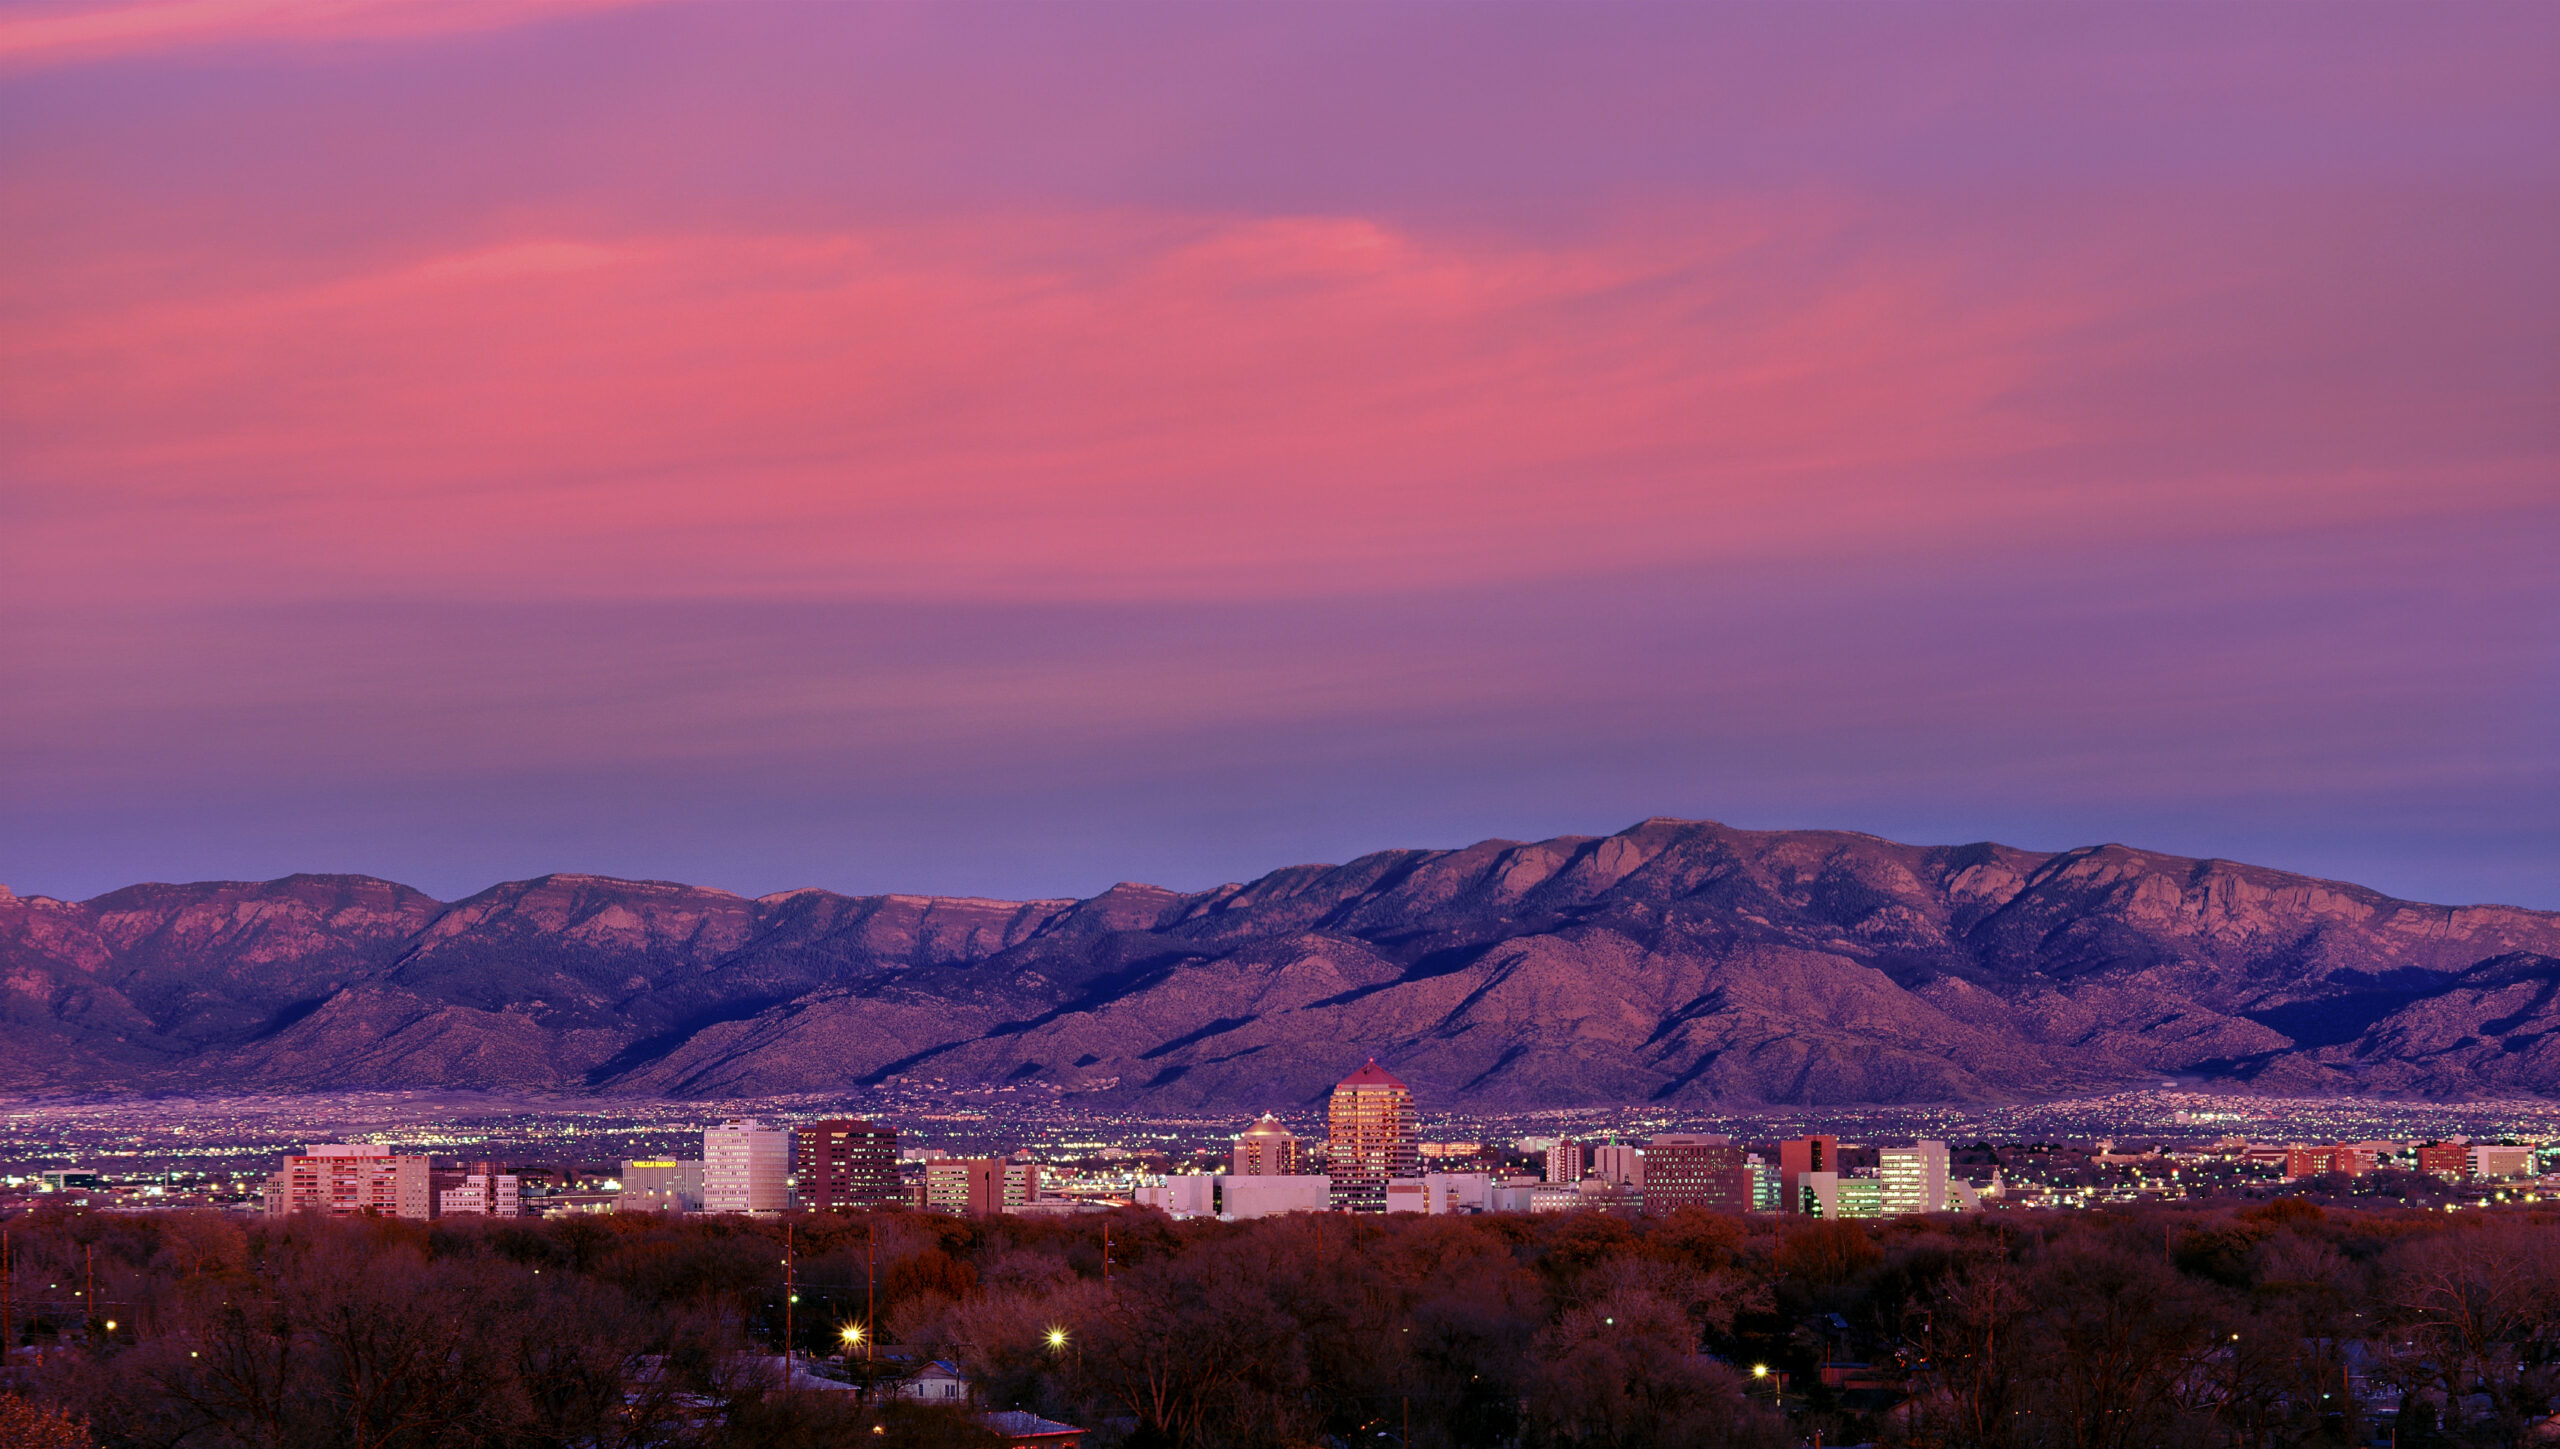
x=1676 y=961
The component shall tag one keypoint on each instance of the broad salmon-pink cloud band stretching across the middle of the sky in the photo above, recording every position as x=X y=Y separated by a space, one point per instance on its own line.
x=1110 y=403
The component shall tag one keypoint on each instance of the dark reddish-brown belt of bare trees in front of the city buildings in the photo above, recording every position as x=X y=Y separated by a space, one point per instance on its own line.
x=2211 y=1325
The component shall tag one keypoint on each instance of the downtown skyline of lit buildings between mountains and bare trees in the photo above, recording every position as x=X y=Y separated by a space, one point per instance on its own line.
x=1368 y=1161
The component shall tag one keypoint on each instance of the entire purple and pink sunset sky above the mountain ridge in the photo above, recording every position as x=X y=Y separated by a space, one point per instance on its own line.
x=1012 y=449
